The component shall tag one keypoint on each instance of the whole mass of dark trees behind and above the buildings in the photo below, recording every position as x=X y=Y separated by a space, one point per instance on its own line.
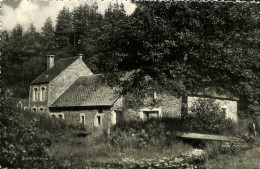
x=180 y=47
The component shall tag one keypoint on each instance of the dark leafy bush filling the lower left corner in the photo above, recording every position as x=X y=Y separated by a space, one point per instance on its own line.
x=22 y=145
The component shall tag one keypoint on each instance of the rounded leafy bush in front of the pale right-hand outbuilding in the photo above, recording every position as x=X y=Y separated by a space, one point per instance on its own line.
x=206 y=116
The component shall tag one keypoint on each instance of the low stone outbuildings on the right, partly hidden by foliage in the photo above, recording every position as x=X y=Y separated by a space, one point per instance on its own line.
x=172 y=106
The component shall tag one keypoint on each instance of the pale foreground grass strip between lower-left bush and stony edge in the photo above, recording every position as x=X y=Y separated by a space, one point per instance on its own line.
x=94 y=149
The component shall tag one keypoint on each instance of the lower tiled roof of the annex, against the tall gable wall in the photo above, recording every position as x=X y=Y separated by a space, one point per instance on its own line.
x=87 y=91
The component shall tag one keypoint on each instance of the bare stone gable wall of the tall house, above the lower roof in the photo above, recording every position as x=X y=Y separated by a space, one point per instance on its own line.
x=66 y=78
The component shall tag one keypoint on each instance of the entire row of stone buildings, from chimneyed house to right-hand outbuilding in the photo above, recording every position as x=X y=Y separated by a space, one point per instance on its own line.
x=69 y=90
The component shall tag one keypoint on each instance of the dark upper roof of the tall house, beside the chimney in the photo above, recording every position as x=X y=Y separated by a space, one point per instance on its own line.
x=53 y=72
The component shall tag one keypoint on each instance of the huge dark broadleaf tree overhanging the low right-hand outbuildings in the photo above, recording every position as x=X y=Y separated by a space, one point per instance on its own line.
x=198 y=45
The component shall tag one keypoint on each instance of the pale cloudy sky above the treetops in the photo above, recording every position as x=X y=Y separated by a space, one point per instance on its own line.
x=26 y=12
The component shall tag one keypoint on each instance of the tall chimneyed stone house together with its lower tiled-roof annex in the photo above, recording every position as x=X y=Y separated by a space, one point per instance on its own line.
x=69 y=90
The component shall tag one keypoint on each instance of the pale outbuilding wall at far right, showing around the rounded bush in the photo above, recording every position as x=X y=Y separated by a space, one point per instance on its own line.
x=230 y=106
